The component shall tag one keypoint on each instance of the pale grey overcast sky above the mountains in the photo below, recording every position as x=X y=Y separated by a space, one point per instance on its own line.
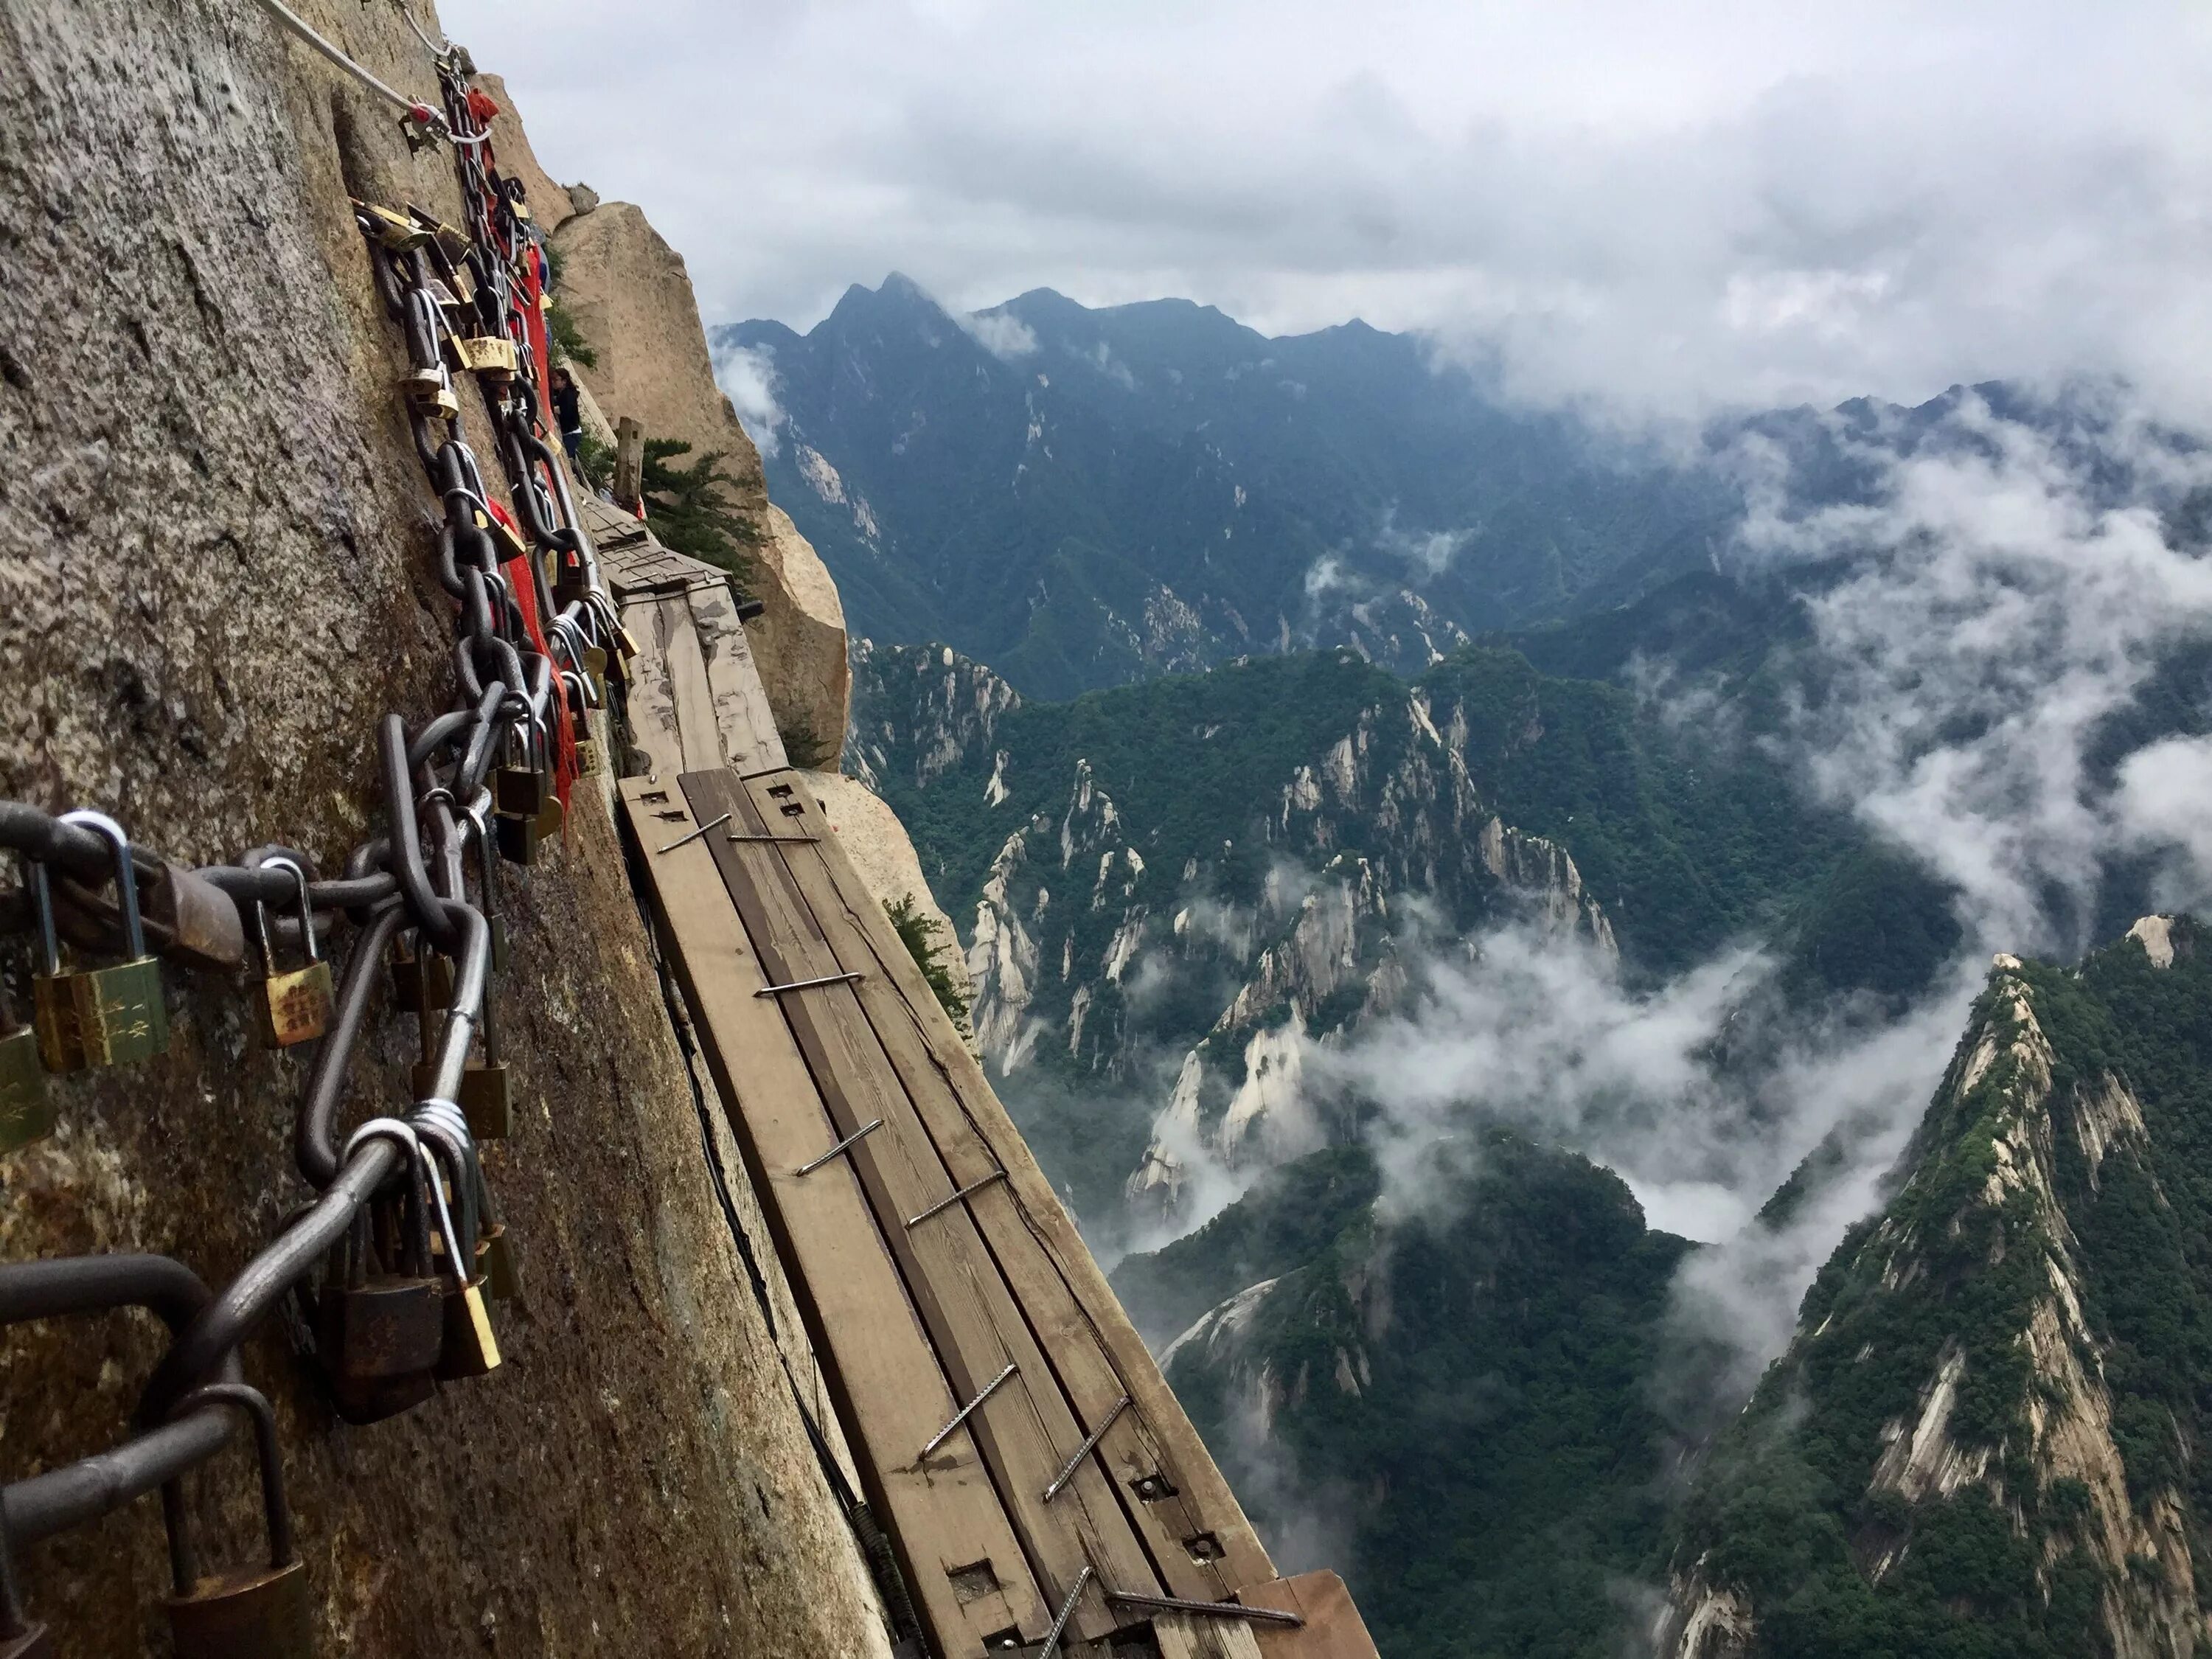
x=1660 y=205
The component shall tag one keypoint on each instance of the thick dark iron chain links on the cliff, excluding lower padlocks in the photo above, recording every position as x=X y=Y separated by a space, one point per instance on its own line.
x=461 y=300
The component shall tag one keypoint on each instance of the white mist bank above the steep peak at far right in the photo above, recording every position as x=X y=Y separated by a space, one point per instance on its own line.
x=2005 y=601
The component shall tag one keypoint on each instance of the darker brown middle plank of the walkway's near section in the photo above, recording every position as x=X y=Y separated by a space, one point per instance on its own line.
x=966 y=1304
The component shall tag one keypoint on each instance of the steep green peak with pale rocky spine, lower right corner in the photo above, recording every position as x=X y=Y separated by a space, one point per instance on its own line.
x=1990 y=1428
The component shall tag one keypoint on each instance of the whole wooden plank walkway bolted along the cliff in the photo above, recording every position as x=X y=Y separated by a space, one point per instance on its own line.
x=1005 y=1419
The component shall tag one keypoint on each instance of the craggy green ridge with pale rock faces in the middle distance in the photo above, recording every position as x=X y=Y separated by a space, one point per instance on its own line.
x=1244 y=890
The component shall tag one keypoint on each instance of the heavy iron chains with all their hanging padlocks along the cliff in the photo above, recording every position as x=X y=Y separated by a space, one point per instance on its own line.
x=401 y=1227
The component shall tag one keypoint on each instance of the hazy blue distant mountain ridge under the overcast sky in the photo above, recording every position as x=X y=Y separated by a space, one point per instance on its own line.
x=1092 y=497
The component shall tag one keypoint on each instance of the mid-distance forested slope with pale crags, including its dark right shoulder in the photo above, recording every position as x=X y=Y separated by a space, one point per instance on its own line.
x=1171 y=888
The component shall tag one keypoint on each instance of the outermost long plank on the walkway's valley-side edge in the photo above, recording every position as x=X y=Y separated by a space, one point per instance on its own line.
x=919 y=1041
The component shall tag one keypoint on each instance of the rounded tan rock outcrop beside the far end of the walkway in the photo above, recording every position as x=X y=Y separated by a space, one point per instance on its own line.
x=634 y=302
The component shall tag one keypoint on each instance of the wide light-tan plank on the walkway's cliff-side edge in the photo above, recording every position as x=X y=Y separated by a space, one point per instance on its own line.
x=875 y=1357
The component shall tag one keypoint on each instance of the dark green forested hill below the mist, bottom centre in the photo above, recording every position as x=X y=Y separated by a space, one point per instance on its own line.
x=1450 y=1392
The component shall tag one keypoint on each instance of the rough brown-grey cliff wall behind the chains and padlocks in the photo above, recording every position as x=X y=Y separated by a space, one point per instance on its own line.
x=213 y=581
